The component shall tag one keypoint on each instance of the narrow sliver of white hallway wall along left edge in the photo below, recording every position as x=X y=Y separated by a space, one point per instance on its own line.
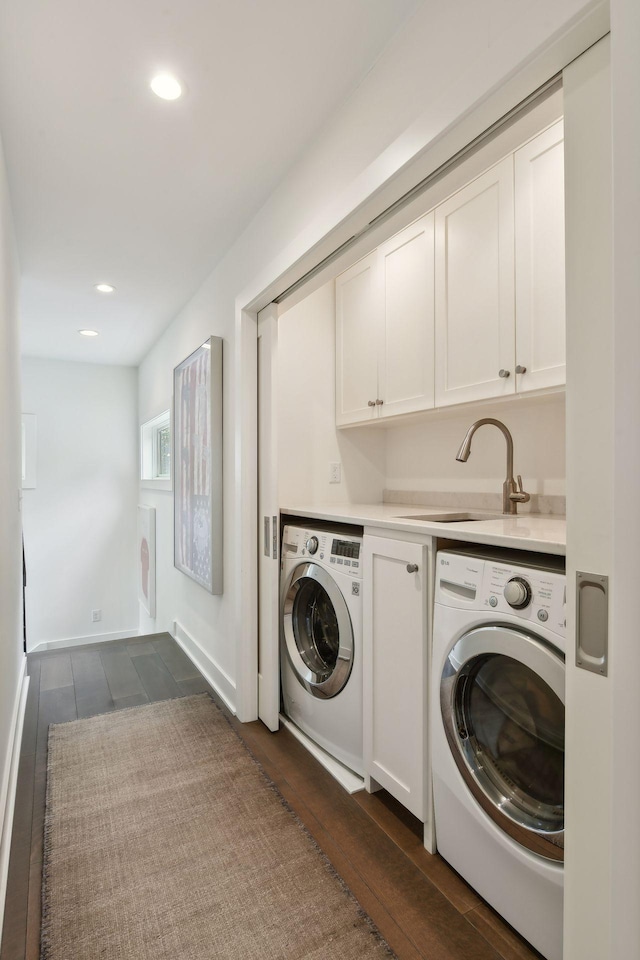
x=11 y=655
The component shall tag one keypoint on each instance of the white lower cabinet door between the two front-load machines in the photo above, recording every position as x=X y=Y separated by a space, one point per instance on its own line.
x=395 y=675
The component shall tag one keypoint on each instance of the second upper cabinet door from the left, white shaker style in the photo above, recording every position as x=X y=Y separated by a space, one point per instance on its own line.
x=406 y=360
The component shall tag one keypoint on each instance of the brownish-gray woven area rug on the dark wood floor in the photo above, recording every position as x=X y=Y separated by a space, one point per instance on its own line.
x=164 y=839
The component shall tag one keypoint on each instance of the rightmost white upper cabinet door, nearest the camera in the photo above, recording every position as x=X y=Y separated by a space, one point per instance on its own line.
x=540 y=302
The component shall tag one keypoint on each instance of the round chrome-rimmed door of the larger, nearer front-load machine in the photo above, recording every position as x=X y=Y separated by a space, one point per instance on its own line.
x=502 y=703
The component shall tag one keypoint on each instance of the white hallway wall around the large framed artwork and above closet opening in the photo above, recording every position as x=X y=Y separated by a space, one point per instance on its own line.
x=401 y=110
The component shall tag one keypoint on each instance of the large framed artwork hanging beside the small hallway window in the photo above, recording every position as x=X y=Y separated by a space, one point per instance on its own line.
x=197 y=412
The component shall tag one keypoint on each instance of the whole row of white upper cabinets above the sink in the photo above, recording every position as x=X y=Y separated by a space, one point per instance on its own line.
x=466 y=303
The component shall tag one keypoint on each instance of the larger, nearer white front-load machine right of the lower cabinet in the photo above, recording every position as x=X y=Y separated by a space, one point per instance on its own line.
x=497 y=727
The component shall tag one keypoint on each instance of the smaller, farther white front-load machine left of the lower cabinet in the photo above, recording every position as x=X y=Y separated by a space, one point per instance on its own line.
x=321 y=639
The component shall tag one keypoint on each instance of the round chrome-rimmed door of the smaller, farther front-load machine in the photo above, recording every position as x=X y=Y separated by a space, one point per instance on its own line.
x=317 y=630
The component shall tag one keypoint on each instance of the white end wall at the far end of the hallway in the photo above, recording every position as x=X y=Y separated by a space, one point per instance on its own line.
x=80 y=520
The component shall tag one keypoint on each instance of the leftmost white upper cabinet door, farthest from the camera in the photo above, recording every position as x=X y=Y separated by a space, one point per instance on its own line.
x=358 y=313
